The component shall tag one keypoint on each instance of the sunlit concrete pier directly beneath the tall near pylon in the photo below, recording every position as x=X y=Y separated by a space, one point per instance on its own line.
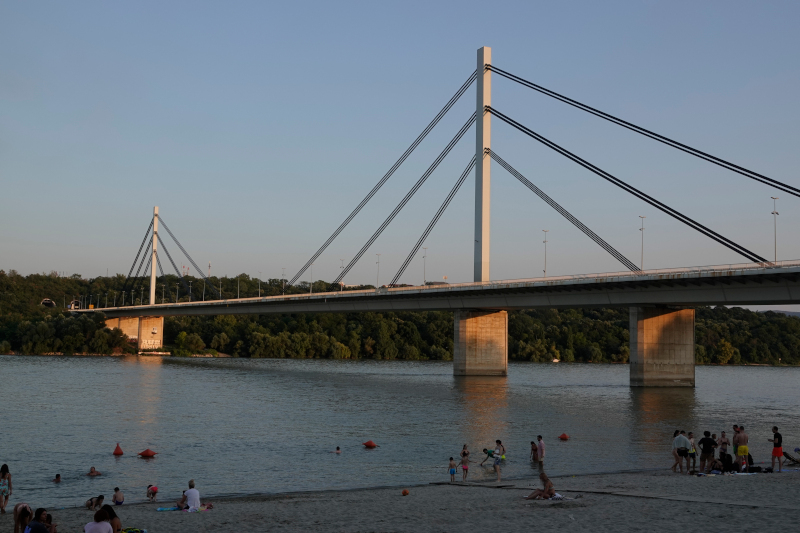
x=481 y=343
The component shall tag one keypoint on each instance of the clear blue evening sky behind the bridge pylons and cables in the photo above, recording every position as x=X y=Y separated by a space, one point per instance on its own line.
x=257 y=127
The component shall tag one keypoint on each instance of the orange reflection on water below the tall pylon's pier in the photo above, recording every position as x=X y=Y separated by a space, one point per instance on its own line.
x=484 y=404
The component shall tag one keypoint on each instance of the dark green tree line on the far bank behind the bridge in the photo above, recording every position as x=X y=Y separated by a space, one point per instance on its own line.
x=722 y=335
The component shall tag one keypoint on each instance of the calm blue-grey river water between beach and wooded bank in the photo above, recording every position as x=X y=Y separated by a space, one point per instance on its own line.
x=240 y=426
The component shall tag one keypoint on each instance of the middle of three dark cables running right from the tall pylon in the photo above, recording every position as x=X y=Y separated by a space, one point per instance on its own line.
x=632 y=190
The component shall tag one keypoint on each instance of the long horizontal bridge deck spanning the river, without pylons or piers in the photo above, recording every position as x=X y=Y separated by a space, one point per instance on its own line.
x=741 y=284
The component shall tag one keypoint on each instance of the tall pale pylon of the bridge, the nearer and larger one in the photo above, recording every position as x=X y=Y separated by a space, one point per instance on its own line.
x=483 y=143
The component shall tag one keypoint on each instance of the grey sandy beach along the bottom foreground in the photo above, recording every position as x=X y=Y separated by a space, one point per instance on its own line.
x=618 y=502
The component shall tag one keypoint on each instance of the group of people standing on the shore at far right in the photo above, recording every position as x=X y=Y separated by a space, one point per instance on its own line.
x=684 y=449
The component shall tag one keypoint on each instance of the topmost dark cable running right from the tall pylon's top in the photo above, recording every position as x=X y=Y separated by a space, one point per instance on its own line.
x=647 y=133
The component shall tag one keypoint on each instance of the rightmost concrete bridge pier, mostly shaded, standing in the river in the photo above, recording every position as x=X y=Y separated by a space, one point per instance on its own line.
x=662 y=347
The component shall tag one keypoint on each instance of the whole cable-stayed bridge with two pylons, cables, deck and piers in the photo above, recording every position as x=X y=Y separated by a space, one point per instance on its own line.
x=660 y=301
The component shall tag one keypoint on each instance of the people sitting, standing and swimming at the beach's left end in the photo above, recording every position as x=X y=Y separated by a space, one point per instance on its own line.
x=105 y=519
